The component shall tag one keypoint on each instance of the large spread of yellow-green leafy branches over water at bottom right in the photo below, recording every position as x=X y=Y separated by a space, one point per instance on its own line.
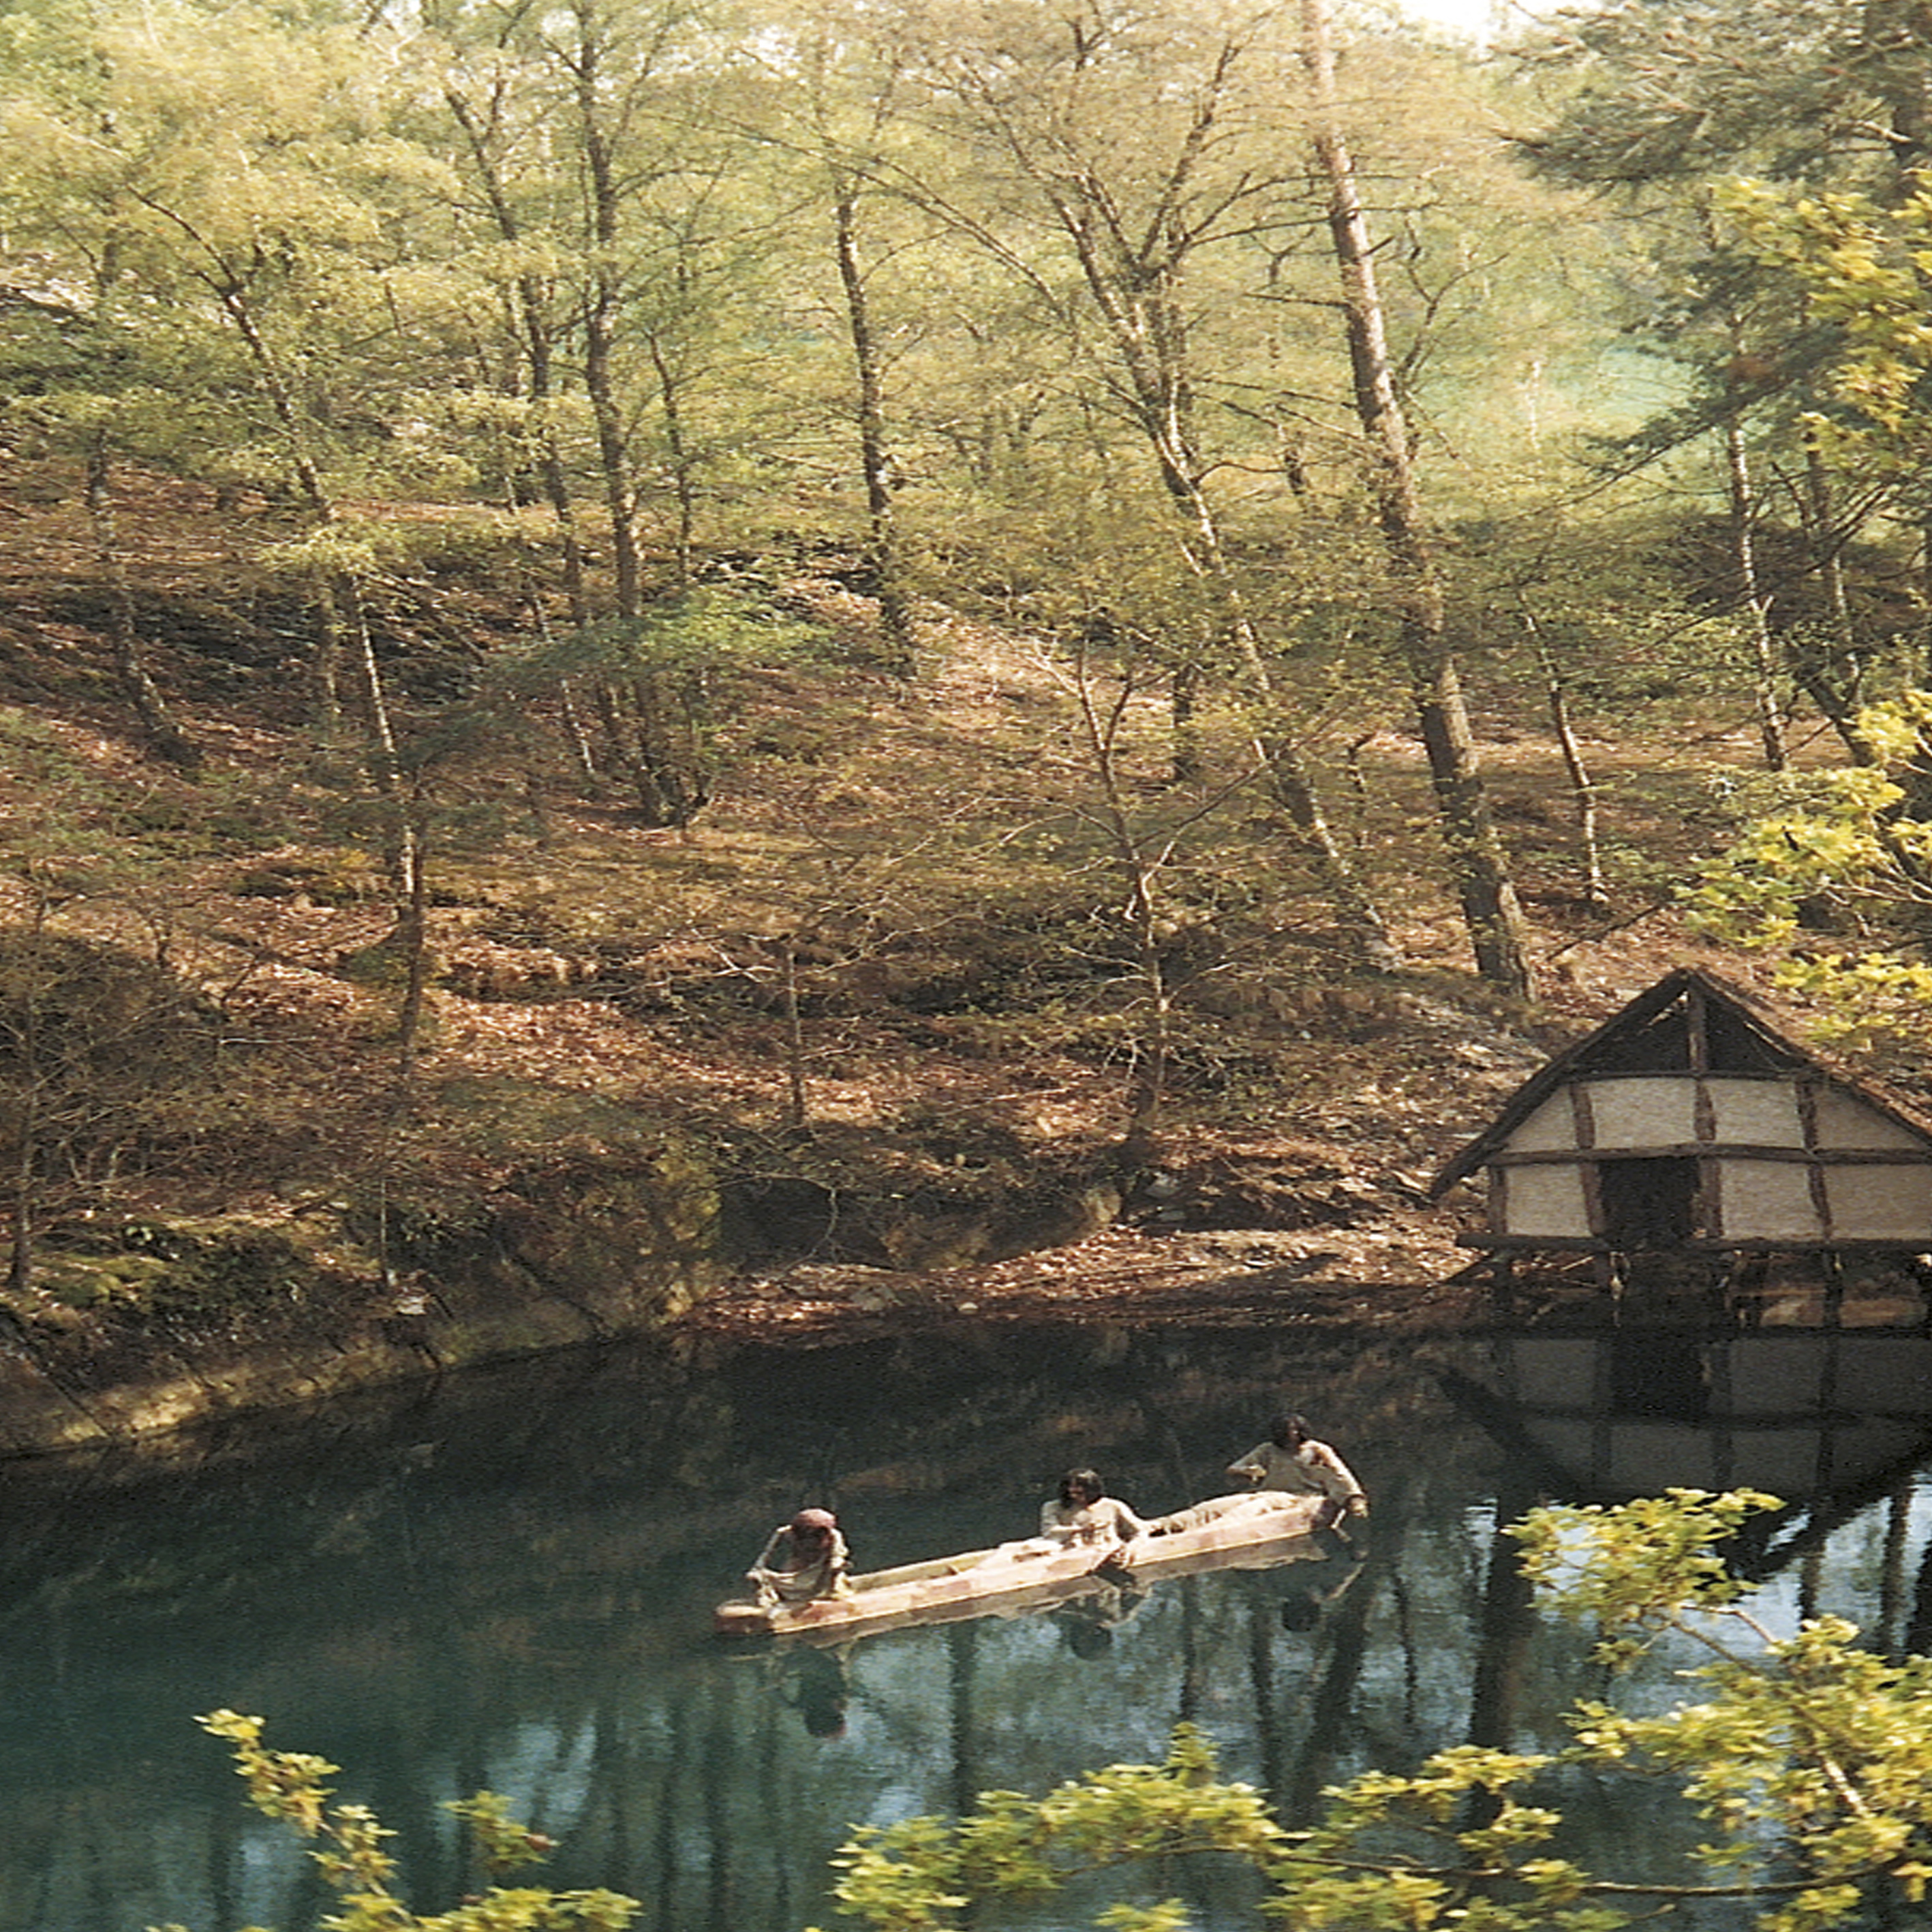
x=1809 y=1757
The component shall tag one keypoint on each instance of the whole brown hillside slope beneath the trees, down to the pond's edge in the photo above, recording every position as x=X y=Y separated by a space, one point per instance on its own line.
x=853 y=1040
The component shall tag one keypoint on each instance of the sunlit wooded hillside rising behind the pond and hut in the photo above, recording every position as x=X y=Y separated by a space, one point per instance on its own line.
x=695 y=639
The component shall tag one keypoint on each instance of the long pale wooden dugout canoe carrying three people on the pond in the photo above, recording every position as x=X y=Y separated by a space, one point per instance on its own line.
x=1017 y=1579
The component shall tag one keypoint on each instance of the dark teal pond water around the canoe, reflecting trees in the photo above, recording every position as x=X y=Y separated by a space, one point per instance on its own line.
x=505 y=1583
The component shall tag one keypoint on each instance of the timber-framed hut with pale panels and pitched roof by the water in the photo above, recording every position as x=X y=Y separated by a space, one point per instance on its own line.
x=1691 y=1147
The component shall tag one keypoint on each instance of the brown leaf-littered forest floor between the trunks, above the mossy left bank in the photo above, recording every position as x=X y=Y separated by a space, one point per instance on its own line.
x=588 y=963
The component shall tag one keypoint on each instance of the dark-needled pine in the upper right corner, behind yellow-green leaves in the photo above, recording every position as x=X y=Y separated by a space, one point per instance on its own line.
x=1662 y=105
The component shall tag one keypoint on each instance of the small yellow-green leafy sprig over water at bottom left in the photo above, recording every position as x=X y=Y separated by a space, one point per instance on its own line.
x=291 y=1788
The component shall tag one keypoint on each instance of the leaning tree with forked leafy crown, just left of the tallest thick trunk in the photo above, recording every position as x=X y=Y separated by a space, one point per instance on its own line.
x=1135 y=142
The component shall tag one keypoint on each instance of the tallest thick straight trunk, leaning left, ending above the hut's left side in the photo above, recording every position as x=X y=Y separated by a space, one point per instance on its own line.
x=1477 y=861
